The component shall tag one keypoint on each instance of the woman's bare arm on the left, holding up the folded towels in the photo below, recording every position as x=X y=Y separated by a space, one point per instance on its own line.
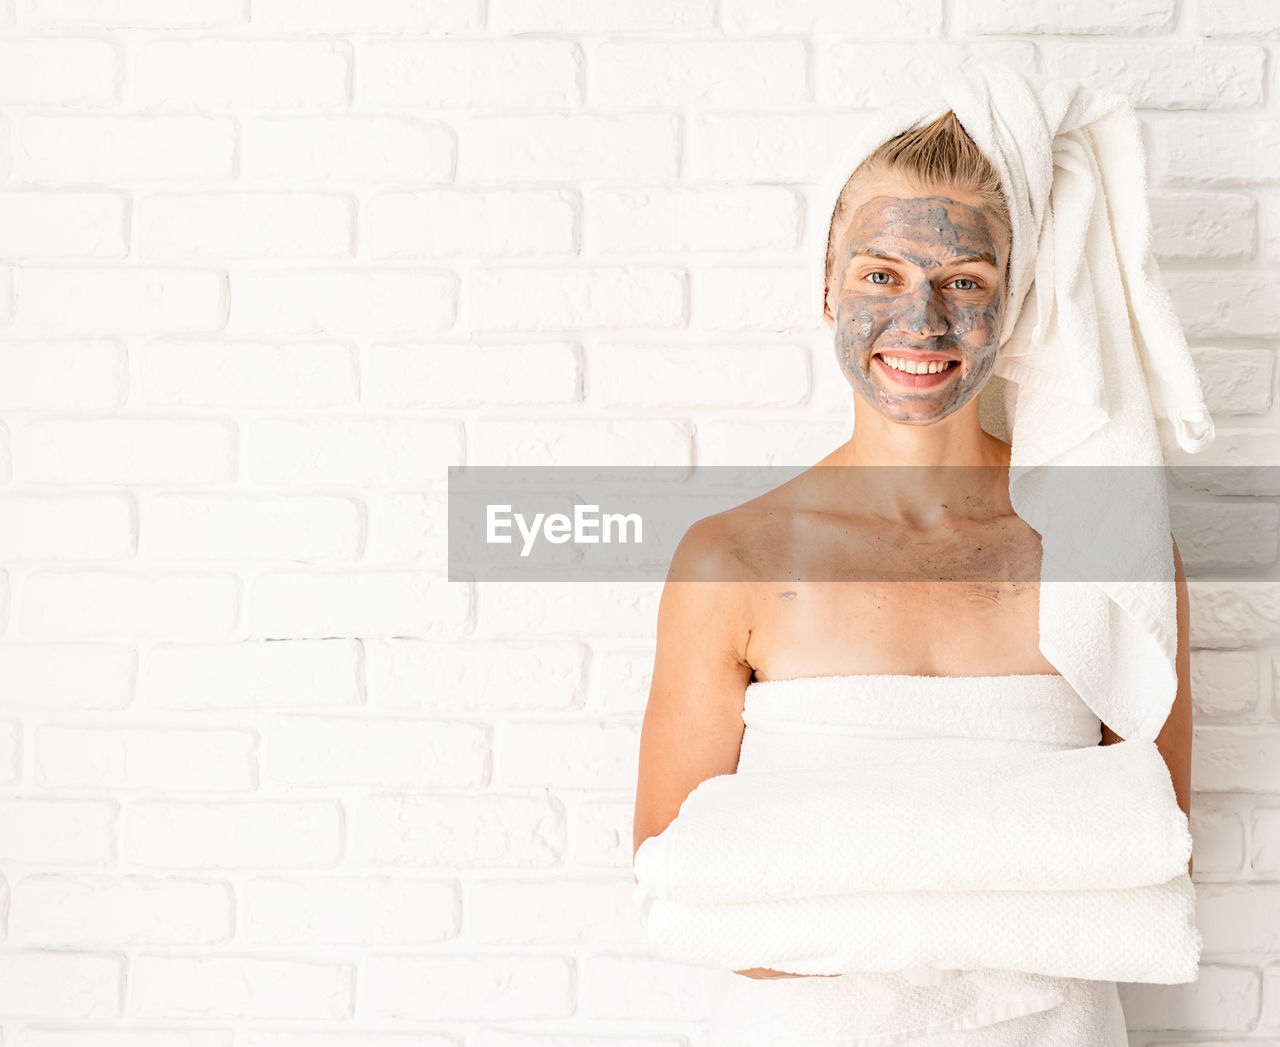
x=693 y=723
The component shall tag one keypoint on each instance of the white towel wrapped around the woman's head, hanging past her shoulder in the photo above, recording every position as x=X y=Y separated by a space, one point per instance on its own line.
x=1092 y=356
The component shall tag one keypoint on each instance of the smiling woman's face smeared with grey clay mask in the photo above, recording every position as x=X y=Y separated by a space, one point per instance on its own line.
x=917 y=275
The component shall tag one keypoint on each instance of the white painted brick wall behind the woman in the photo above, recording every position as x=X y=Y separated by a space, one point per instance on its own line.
x=269 y=267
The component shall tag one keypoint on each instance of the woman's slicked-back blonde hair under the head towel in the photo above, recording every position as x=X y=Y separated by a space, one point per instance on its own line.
x=939 y=154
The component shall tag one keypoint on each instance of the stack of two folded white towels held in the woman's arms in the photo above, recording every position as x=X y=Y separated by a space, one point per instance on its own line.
x=1069 y=863
